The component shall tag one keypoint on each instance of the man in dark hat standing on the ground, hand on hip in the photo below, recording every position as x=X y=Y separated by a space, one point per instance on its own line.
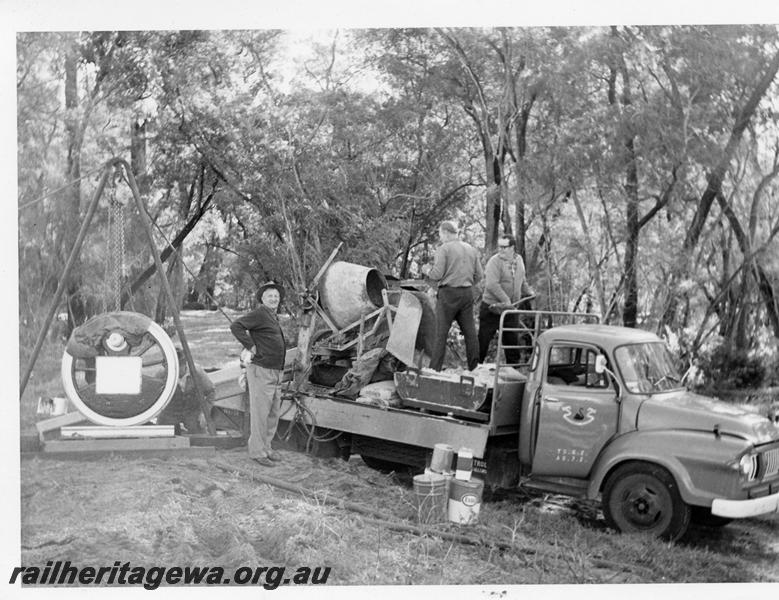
x=260 y=334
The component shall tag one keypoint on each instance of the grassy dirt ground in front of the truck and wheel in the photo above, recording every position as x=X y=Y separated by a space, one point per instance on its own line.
x=200 y=510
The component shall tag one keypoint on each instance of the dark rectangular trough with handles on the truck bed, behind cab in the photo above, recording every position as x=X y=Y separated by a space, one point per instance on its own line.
x=442 y=392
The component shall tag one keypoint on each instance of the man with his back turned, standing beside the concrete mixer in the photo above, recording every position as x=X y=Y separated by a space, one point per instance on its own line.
x=456 y=269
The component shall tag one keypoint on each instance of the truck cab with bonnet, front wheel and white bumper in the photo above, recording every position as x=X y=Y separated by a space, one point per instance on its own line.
x=605 y=414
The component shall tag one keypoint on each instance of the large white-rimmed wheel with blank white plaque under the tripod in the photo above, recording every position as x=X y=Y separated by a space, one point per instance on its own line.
x=119 y=369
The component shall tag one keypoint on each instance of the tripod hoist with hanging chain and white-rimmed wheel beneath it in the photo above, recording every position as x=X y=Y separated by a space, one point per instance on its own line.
x=120 y=368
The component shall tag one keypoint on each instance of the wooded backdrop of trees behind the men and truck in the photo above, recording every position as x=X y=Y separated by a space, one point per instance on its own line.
x=637 y=165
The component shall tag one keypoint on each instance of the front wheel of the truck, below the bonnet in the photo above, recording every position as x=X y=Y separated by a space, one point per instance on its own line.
x=644 y=498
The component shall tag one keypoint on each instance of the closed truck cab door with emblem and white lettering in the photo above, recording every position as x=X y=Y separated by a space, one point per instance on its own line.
x=577 y=412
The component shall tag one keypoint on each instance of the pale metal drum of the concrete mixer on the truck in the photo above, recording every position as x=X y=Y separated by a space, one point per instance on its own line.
x=348 y=291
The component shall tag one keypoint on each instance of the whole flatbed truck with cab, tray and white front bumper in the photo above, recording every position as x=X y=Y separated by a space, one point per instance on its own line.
x=596 y=411
